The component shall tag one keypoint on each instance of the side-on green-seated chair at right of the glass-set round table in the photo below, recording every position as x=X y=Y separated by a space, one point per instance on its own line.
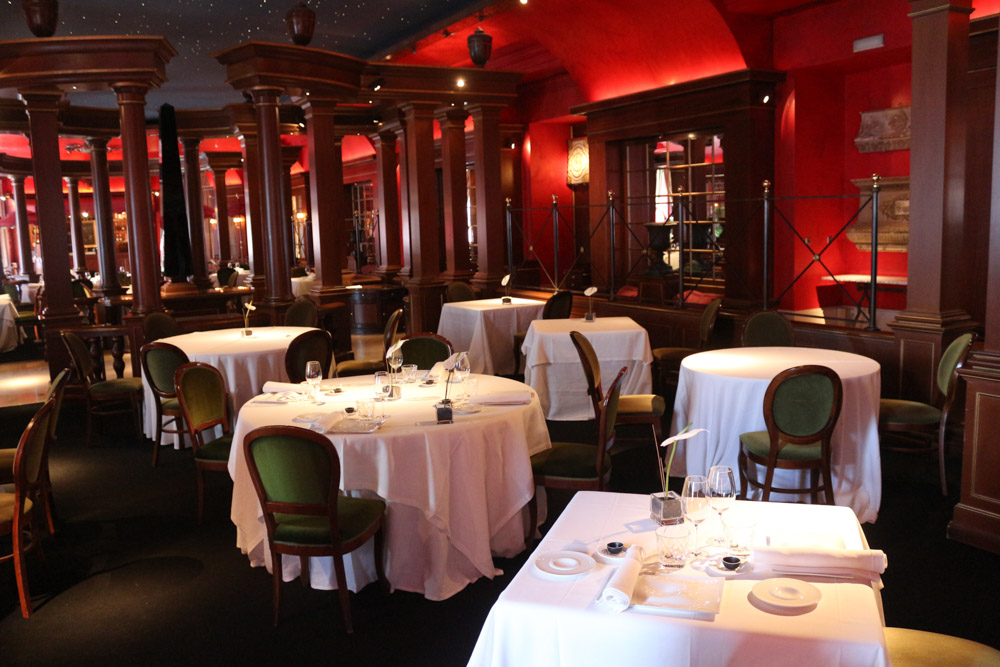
x=578 y=465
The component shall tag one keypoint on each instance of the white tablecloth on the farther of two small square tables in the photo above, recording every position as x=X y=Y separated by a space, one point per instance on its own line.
x=485 y=328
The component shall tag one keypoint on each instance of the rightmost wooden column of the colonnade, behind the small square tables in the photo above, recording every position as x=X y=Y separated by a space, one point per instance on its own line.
x=490 y=217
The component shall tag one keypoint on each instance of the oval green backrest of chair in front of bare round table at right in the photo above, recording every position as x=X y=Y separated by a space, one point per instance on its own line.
x=802 y=405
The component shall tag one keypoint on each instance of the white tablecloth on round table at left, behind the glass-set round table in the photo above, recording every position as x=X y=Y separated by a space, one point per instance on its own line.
x=245 y=363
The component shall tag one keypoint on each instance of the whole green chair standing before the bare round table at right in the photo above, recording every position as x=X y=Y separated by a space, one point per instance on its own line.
x=801 y=408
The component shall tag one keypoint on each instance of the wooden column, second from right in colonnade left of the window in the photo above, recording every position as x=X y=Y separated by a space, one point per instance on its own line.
x=456 y=225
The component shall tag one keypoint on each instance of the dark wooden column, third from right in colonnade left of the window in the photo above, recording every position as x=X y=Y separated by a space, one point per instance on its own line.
x=425 y=286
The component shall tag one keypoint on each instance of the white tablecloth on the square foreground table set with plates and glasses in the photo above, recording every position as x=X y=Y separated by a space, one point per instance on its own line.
x=550 y=620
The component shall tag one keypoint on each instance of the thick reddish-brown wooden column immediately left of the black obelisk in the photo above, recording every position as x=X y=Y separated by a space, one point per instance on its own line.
x=138 y=207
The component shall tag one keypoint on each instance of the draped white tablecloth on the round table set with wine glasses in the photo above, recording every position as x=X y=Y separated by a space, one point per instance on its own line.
x=454 y=492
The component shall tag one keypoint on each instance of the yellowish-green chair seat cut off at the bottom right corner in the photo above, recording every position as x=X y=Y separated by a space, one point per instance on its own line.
x=915 y=648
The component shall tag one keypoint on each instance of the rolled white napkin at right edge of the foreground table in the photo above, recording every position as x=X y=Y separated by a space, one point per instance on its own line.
x=867 y=563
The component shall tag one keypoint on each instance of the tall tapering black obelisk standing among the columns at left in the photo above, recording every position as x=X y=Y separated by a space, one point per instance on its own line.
x=176 y=243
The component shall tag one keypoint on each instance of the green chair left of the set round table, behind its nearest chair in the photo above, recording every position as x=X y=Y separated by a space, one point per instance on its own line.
x=204 y=401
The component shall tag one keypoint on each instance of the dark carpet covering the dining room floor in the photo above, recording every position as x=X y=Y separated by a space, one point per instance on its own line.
x=131 y=579
